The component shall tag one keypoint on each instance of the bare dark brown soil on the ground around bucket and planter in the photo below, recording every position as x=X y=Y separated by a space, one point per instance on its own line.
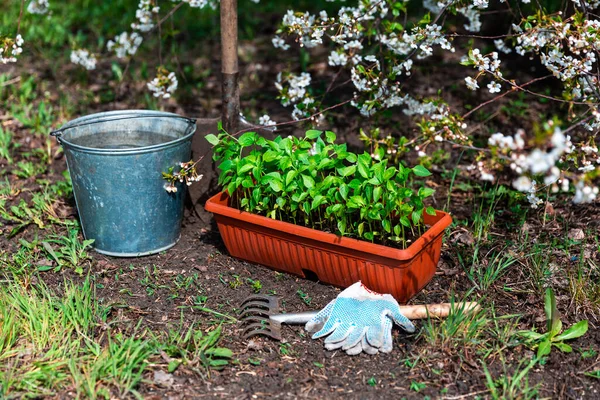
x=301 y=367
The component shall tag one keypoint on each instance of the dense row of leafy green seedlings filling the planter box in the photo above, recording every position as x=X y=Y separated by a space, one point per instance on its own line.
x=314 y=182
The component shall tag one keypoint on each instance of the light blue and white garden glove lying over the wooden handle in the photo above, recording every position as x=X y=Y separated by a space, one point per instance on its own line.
x=359 y=320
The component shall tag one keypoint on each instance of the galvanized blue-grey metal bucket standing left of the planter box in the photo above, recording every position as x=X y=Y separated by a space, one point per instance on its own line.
x=116 y=160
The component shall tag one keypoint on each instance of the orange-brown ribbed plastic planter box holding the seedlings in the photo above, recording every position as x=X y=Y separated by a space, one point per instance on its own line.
x=336 y=260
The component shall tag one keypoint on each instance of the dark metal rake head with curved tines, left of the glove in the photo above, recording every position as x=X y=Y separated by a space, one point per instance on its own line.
x=255 y=316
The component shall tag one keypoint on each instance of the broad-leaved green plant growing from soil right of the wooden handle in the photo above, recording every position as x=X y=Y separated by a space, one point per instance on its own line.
x=553 y=337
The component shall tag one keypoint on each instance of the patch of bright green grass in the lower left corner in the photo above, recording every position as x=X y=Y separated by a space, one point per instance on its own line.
x=57 y=341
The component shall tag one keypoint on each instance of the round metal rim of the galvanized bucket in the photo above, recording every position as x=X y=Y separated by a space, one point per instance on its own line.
x=117 y=115
